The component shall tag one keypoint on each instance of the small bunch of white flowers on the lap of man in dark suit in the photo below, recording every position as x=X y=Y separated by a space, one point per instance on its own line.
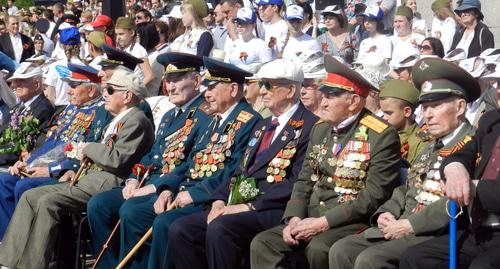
x=243 y=190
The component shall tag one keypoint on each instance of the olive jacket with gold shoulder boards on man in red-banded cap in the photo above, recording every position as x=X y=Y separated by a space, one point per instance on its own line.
x=347 y=175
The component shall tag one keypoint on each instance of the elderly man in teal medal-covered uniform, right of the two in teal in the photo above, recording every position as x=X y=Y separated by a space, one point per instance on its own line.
x=214 y=159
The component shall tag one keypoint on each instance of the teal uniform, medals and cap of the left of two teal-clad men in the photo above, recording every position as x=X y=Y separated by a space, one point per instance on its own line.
x=176 y=136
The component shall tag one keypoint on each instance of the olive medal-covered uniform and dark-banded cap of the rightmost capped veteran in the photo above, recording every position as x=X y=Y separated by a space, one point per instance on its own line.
x=421 y=200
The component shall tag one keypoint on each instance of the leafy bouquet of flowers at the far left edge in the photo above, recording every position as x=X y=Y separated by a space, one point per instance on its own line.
x=20 y=135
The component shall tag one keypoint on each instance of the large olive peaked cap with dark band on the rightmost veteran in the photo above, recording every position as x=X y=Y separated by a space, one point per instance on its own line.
x=439 y=79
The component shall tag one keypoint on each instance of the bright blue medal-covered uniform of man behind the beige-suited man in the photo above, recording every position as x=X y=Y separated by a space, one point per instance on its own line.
x=72 y=126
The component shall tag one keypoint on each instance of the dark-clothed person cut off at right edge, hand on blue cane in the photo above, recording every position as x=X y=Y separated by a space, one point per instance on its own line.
x=472 y=180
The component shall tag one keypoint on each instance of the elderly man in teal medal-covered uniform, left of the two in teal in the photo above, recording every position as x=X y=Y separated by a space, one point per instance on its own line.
x=177 y=134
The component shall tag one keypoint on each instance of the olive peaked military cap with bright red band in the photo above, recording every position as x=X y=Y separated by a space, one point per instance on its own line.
x=341 y=78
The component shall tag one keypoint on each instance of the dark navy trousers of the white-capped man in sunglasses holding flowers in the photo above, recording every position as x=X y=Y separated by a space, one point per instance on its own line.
x=222 y=244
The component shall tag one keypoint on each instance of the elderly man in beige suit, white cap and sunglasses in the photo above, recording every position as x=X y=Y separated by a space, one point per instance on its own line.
x=31 y=235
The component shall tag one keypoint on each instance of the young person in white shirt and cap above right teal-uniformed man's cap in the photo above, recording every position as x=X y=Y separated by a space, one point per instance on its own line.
x=247 y=50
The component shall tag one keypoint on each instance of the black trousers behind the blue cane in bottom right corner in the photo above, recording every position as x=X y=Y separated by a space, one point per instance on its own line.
x=481 y=251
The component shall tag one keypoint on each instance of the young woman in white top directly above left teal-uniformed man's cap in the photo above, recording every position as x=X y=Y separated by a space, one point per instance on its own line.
x=197 y=39
